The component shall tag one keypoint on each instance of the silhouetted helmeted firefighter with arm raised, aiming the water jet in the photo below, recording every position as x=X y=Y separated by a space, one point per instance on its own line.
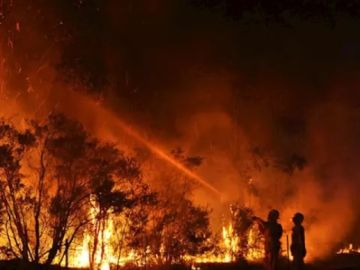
x=272 y=231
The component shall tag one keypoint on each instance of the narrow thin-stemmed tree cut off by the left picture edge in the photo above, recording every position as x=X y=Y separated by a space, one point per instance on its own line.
x=15 y=197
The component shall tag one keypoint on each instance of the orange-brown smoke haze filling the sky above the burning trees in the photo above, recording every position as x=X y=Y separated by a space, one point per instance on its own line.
x=269 y=98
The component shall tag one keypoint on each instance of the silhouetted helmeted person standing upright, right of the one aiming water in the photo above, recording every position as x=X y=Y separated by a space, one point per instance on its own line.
x=298 y=249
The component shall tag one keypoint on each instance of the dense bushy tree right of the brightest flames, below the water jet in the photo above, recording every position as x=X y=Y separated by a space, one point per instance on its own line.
x=183 y=227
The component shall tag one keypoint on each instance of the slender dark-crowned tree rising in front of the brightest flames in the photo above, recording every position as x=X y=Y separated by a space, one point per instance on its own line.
x=109 y=170
